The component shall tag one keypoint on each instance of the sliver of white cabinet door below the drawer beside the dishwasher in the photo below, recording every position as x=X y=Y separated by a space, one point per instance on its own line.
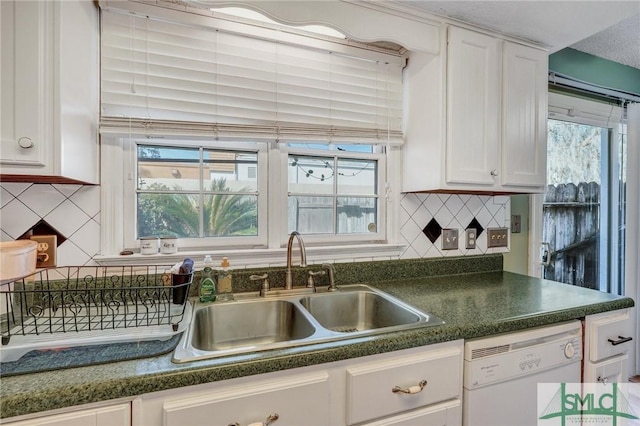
x=445 y=414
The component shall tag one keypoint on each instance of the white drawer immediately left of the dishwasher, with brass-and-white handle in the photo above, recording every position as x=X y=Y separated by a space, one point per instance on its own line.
x=370 y=386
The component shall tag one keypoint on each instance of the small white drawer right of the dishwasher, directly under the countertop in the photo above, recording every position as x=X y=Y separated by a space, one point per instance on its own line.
x=608 y=334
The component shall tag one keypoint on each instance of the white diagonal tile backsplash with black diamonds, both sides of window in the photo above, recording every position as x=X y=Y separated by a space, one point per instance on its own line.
x=74 y=211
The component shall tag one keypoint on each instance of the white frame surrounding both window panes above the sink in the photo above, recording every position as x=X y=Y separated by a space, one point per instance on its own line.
x=272 y=195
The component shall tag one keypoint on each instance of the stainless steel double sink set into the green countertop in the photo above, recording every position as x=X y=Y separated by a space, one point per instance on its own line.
x=252 y=323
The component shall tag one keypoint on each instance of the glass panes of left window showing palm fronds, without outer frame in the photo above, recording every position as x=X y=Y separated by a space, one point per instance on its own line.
x=196 y=192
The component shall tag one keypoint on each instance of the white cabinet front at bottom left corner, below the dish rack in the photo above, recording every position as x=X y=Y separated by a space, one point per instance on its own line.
x=116 y=415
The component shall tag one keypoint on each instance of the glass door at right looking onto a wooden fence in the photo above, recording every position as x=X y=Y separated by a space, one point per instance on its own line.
x=583 y=220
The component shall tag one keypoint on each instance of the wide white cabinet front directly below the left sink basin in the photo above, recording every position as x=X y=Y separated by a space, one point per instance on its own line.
x=294 y=401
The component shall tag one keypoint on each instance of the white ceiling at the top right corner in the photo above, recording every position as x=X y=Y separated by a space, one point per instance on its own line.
x=608 y=29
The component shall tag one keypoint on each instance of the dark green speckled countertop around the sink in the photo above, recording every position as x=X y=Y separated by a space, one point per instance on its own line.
x=472 y=305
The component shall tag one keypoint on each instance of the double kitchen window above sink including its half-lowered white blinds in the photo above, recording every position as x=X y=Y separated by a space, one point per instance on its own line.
x=228 y=130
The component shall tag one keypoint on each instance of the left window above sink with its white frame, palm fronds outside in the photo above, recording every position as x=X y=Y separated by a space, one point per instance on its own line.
x=199 y=194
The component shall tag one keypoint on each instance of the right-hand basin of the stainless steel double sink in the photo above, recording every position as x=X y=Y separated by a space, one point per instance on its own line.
x=355 y=311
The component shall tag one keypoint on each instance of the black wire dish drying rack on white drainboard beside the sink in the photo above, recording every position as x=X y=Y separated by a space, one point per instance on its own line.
x=78 y=306
